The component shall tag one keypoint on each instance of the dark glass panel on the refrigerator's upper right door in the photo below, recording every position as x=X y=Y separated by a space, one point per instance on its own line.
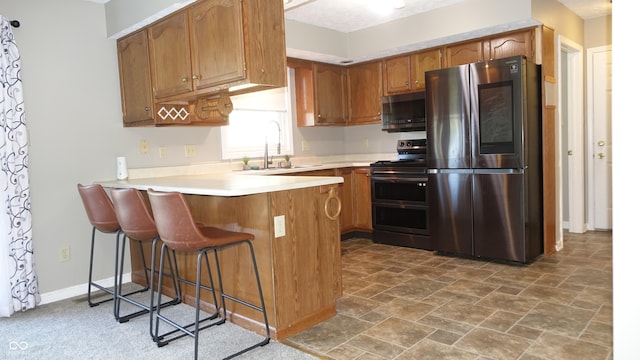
x=495 y=102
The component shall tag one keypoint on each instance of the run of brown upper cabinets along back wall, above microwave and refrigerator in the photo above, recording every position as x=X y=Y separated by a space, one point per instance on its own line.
x=322 y=91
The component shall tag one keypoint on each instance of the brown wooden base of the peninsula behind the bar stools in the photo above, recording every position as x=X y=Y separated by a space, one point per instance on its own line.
x=301 y=272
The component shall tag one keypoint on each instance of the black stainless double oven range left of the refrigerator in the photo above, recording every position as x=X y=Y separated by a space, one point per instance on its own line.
x=399 y=204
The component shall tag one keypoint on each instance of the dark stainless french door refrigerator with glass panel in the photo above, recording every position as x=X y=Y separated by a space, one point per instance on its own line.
x=483 y=124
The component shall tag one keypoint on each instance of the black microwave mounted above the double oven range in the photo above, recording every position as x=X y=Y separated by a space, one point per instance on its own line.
x=403 y=112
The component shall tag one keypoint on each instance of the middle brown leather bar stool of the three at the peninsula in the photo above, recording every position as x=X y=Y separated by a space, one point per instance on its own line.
x=137 y=224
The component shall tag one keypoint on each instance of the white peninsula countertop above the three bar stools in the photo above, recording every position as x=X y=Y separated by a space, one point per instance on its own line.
x=223 y=184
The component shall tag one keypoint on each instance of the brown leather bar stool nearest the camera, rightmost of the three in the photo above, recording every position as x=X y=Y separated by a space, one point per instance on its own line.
x=179 y=233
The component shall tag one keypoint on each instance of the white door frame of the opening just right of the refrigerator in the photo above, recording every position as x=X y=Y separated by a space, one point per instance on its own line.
x=574 y=104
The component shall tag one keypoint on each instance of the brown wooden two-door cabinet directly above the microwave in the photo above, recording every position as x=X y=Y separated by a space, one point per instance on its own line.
x=405 y=73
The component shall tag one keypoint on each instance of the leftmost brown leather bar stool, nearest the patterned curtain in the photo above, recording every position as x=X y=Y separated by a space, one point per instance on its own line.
x=102 y=217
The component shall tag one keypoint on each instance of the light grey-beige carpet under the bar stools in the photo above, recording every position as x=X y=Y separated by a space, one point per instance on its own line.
x=70 y=329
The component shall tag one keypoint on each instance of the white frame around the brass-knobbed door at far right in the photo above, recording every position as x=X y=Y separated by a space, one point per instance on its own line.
x=590 y=125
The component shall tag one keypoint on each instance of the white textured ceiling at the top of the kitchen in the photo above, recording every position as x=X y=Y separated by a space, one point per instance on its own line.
x=352 y=15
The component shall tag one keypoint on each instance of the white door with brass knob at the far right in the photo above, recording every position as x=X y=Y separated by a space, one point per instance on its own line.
x=600 y=108
